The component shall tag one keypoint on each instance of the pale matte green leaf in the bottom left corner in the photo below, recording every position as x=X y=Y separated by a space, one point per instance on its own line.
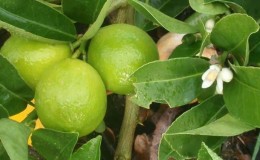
x=14 y=138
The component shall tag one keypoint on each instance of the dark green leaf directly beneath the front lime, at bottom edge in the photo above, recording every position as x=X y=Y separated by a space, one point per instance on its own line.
x=54 y=145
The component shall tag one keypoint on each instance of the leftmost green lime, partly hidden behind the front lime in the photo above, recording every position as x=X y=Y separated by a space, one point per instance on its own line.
x=31 y=58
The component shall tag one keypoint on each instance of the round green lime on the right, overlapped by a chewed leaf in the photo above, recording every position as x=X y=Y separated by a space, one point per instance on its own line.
x=117 y=51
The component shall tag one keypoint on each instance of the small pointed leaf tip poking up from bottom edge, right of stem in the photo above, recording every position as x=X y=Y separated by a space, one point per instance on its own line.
x=206 y=153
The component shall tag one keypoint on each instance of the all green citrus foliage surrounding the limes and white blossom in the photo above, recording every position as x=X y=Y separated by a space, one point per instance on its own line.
x=178 y=81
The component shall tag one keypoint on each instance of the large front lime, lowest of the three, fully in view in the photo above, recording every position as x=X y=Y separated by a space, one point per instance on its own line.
x=71 y=97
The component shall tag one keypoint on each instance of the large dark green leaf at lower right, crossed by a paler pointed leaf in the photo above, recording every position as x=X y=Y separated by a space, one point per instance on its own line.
x=183 y=146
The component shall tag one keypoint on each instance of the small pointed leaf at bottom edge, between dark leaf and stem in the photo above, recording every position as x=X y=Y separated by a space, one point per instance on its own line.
x=90 y=150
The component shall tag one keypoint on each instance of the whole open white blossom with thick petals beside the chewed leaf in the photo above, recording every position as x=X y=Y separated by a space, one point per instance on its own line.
x=216 y=72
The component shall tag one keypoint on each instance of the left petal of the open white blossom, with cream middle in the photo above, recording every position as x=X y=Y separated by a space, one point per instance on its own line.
x=210 y=75
